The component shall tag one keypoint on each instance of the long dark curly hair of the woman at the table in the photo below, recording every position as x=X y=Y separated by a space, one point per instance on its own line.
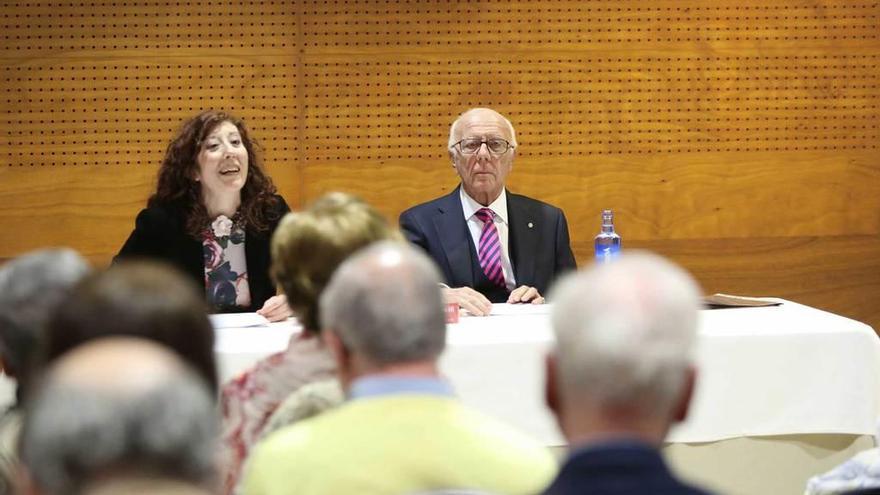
x=177 y=182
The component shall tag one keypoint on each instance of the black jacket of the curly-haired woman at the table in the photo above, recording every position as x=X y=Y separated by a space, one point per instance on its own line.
x=160 y=234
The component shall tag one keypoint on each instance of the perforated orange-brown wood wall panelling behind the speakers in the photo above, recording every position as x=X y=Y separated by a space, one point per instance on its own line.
x=741 y=138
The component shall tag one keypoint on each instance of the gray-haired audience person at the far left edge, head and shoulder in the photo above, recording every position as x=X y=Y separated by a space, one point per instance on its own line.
x=31 y=286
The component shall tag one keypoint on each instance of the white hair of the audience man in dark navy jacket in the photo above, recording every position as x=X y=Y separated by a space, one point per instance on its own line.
x=625 y=333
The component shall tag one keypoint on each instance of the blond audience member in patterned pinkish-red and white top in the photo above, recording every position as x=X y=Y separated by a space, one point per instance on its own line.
x=307 y=248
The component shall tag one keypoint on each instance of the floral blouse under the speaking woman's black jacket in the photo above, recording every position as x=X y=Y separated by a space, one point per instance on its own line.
x=226 y=282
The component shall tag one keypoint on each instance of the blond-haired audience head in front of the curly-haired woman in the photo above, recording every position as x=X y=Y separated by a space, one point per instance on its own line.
x=308 y=246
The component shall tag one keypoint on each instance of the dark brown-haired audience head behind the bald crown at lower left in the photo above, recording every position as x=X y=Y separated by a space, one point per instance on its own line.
x=139 y=299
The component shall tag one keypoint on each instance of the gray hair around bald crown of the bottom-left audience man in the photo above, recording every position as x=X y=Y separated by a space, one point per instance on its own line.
x=74 y=433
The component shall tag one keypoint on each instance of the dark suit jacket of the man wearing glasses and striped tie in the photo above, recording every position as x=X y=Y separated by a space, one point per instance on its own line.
x=538 y=242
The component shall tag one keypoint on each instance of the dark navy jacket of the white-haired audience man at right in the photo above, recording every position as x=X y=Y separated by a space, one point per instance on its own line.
x=618 y=468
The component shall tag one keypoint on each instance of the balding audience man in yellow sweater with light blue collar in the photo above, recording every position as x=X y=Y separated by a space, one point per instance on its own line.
x=401 y=430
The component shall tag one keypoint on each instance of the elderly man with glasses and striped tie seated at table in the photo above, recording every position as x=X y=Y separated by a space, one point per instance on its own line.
x=490 y=244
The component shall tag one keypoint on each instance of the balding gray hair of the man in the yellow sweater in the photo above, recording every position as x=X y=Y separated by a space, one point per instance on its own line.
x=385 y=304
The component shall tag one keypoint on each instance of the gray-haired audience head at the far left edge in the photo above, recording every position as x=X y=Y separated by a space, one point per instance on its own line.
x=31 y=286
